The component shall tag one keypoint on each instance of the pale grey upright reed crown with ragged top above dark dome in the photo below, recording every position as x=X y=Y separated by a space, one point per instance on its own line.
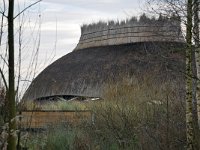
x=130 y=31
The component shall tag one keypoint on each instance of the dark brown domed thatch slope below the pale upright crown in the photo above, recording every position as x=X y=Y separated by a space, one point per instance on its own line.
x=85 y=72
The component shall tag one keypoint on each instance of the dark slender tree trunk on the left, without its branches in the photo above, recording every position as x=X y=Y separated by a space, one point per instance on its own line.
x=11 y=87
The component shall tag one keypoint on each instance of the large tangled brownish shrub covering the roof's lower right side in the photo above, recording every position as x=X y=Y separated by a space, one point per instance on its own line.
x=140 y=115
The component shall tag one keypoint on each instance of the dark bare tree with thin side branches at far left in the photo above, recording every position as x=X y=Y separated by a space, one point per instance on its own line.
x=8 y=13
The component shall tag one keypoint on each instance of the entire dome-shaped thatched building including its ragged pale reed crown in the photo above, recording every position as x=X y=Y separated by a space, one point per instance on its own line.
x=108 y=51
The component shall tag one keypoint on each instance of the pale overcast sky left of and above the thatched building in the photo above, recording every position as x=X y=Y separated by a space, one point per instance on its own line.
x=58 y=24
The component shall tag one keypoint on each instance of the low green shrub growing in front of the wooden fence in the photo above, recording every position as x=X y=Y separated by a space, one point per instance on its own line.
x=60 y=137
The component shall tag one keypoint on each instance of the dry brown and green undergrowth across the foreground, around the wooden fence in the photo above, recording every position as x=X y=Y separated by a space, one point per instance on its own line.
x=135 y=114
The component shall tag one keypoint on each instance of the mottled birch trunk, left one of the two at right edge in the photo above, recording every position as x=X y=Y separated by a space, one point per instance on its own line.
x=189 y=116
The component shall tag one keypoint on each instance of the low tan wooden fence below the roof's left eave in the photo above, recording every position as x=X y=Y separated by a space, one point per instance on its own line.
x=41 y=119
